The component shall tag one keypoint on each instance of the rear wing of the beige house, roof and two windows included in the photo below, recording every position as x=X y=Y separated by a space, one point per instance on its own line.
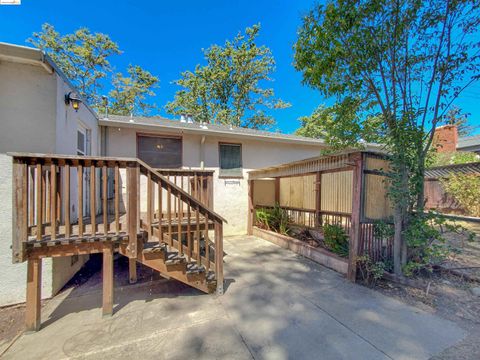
x=229 y=151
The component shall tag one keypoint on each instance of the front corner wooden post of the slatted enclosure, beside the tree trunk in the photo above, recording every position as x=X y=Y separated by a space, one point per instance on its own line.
x=355 y=220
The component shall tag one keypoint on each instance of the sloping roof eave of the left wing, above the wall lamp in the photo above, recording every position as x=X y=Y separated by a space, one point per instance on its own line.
x=33 y=56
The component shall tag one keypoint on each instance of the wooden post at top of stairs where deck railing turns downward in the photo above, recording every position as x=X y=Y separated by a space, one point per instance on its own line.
x=132 y=220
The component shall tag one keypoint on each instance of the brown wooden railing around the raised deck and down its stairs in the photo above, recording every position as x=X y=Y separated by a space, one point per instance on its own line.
x=60 y=200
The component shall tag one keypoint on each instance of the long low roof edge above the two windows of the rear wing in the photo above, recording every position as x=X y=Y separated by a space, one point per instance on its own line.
x=204 y=129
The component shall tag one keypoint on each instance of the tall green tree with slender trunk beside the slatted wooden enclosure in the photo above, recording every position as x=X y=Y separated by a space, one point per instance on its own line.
x=404 y=61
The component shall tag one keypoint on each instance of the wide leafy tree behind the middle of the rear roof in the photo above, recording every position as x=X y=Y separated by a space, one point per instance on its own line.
x=227 y=90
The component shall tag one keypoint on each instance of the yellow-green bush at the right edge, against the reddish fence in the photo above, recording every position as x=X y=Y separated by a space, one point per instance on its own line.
x=465 y=188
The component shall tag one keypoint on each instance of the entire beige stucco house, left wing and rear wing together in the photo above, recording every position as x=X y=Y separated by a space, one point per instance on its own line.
x=40 y=115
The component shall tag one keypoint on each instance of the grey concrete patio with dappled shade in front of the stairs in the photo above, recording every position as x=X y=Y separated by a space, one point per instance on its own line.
x=276 y=306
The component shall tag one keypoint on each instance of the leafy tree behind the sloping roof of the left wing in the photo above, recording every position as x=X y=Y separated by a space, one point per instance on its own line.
x=83 y=57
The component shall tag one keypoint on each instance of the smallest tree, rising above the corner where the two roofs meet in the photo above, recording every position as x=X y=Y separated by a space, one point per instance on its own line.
x=129 y=93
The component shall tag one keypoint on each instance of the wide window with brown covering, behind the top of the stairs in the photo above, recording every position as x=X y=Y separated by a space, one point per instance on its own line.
x=160 y=151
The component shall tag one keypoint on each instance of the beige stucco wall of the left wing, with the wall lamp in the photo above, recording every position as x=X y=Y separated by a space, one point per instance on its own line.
x=33 y=118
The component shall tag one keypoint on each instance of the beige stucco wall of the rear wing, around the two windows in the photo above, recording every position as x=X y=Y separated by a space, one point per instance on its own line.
x=230 y=195
